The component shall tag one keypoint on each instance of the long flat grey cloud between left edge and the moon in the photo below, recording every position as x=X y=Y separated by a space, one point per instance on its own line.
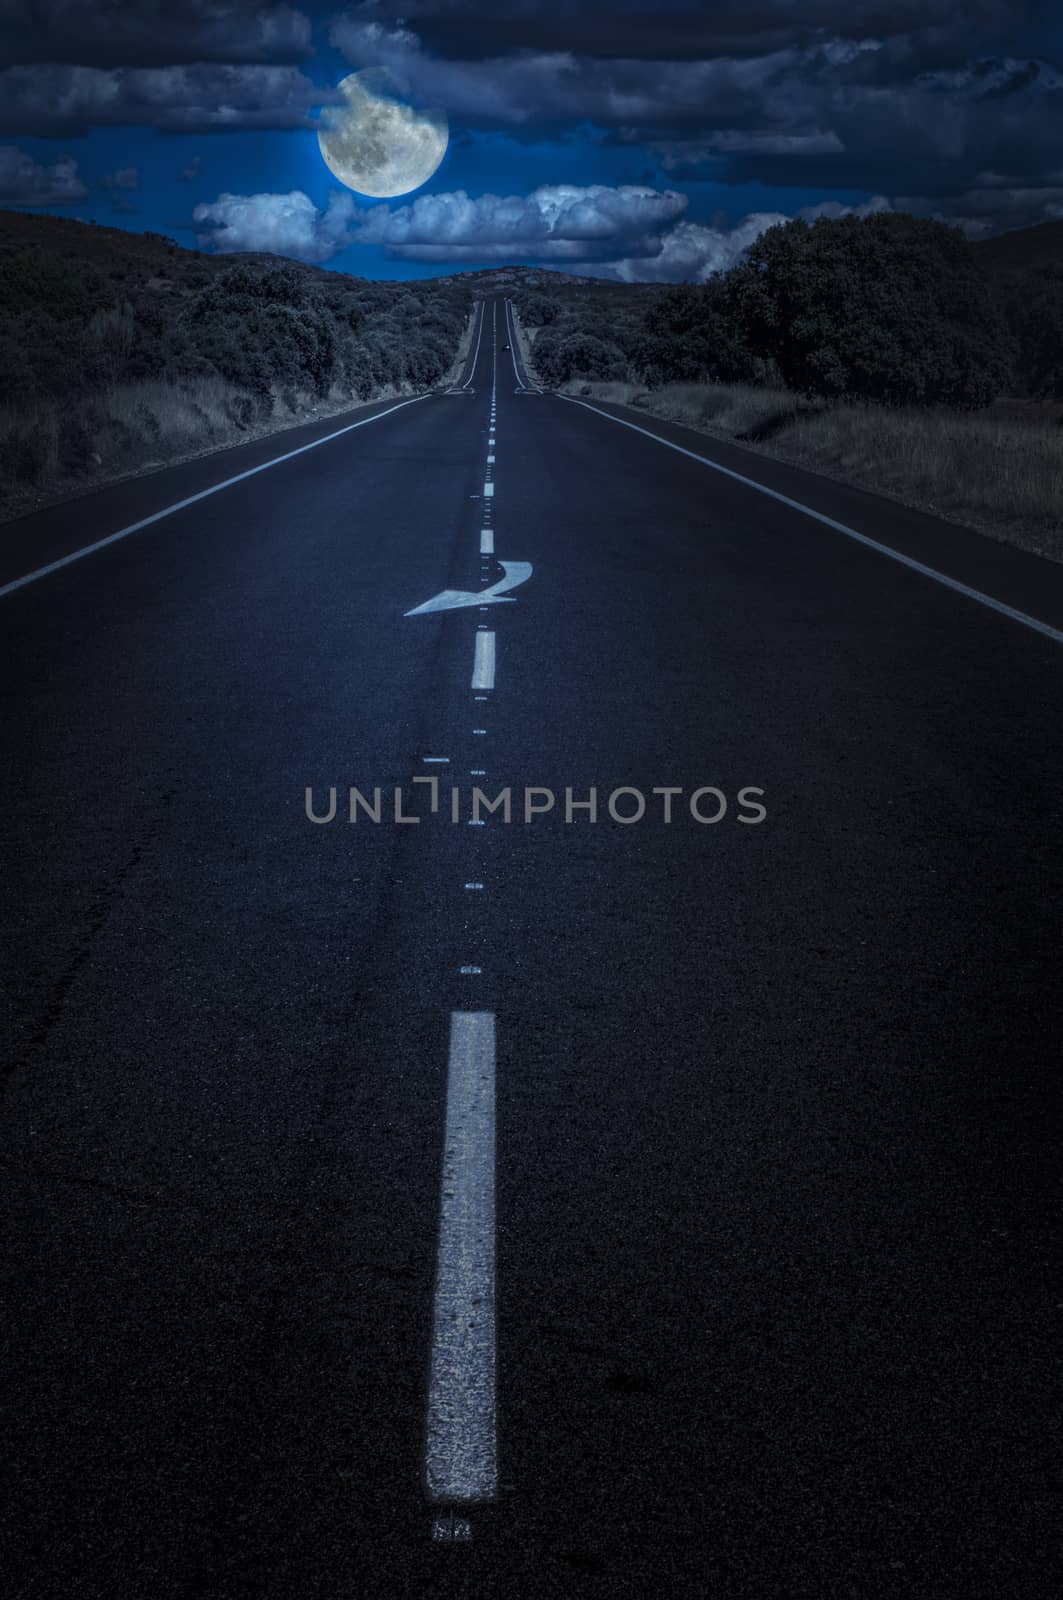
x=60 y=100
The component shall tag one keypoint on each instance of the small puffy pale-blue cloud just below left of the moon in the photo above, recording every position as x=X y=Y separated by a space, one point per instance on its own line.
x=279 y=225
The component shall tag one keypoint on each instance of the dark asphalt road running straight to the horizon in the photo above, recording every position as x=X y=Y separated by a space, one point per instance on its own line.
x=763 y=1289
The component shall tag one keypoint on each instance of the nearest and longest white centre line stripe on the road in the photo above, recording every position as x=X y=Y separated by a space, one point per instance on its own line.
x=462 y=1447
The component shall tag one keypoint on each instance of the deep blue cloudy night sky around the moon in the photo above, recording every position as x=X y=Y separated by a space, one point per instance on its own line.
x=612 y=138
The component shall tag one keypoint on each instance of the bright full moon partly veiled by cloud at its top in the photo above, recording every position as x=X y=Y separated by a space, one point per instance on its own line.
x=377 y=143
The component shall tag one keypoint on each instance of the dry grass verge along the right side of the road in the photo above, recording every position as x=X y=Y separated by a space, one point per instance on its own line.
x=1000 y=471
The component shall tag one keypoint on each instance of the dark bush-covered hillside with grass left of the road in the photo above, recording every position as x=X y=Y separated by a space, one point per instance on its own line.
x=122 y=351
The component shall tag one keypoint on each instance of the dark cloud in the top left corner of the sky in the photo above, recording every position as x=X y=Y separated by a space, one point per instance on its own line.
x=151 y=33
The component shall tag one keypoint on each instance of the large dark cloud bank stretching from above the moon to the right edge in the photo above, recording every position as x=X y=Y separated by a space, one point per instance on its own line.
x=856 y=97
